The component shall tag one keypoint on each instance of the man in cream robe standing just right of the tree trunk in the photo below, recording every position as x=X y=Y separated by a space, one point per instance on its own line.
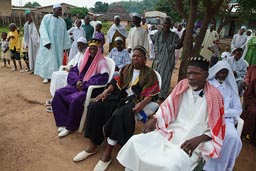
x=210 y=36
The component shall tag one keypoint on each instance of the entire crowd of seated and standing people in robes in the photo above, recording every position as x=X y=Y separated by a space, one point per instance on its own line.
x=212 y=90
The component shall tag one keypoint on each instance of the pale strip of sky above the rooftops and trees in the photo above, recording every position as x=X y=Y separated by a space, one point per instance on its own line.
x=79 y=3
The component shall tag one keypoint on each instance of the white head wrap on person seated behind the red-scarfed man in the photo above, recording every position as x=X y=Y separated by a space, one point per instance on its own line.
x=231 y=81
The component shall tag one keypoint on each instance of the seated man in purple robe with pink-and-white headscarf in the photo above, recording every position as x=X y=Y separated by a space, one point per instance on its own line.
x=68 y=101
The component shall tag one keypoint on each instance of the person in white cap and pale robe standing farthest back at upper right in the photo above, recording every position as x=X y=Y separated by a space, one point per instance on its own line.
x=239 y=39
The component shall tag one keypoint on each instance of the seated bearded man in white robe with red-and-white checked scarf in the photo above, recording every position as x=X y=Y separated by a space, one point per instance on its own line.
x=189 y=124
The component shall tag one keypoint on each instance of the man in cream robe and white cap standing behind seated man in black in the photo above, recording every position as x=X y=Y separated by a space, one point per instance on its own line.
x=137 y=35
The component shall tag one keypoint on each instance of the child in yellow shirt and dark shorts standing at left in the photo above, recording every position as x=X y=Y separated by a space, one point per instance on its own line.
x=14 y=45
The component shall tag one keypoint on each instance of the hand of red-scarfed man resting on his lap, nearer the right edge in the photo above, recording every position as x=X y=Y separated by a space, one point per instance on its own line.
x=190 y=145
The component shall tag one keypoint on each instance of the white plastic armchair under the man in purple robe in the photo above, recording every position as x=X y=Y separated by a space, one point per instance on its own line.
x=111 y=65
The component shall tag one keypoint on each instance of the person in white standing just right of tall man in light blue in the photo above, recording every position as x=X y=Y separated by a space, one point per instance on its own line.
x=75 y=33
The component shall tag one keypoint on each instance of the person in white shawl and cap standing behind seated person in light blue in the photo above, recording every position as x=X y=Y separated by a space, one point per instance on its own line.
x=116 y=30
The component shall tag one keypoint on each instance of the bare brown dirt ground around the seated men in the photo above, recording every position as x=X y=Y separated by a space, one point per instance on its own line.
x=28 y=135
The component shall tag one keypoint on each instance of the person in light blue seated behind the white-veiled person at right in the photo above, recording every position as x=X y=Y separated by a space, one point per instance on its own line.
x=239 y=68
